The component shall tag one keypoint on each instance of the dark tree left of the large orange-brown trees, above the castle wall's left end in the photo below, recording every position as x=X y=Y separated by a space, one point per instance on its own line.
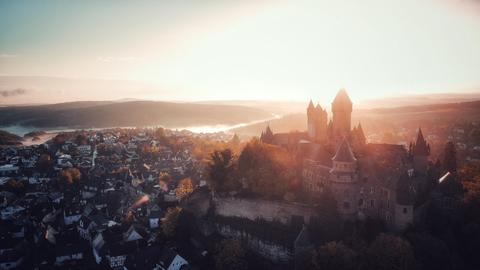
x=221 y=169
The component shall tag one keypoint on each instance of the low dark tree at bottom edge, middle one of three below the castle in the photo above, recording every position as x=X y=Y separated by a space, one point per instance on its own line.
x=334 y=255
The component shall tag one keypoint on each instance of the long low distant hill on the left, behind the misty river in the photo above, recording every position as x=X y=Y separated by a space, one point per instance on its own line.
x=90 y=114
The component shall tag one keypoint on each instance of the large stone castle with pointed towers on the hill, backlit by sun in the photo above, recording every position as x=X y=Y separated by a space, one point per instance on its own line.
x=367 y=180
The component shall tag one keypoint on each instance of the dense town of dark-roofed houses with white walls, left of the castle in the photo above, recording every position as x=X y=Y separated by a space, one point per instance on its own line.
x=95 y=199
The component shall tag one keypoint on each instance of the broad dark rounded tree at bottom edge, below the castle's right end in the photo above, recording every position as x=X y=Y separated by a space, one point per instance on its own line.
x=389 y=252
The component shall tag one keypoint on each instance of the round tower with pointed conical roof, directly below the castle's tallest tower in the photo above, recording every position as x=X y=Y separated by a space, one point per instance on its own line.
x=344 y=180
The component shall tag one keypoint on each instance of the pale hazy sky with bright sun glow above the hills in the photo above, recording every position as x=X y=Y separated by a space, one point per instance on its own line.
x=55 y=51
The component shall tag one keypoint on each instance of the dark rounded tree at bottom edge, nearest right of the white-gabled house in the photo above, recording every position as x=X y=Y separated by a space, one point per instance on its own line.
x=229 y=254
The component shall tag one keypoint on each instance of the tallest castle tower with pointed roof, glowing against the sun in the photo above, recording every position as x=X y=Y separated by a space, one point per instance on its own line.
x=342 y=114
